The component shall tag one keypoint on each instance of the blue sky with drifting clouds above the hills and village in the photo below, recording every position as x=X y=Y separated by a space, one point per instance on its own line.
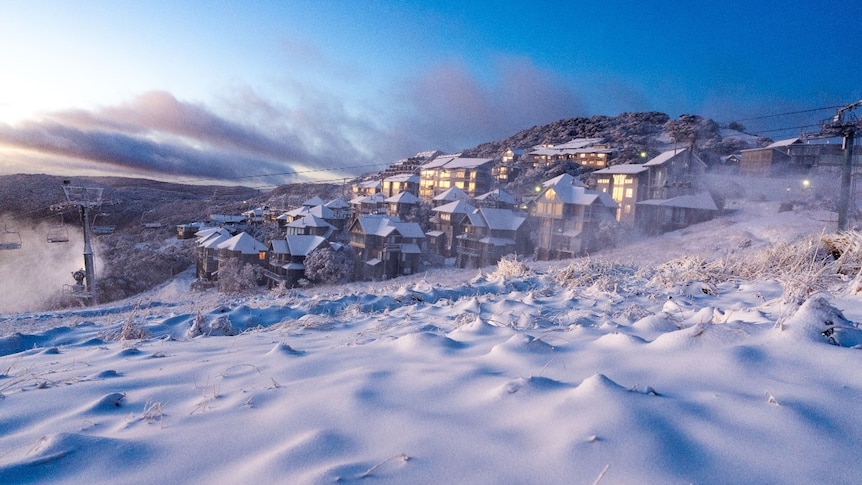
x=190 y=90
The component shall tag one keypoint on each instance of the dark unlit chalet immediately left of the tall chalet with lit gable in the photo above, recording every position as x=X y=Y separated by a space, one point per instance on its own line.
x=490 y=234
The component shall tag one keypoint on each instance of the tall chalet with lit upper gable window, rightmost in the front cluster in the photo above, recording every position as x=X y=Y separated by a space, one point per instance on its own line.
x=569 y=218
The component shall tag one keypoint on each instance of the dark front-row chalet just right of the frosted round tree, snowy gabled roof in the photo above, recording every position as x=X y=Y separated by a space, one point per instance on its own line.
x=386 y=246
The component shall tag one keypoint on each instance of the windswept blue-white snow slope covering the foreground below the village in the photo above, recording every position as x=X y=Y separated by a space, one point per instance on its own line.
x=543 y=374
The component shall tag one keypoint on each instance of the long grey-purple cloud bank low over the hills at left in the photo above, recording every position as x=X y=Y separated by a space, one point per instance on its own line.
x=157 y=134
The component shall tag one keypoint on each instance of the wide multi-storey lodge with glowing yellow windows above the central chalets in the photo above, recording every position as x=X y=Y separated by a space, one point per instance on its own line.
x=472 y=175
